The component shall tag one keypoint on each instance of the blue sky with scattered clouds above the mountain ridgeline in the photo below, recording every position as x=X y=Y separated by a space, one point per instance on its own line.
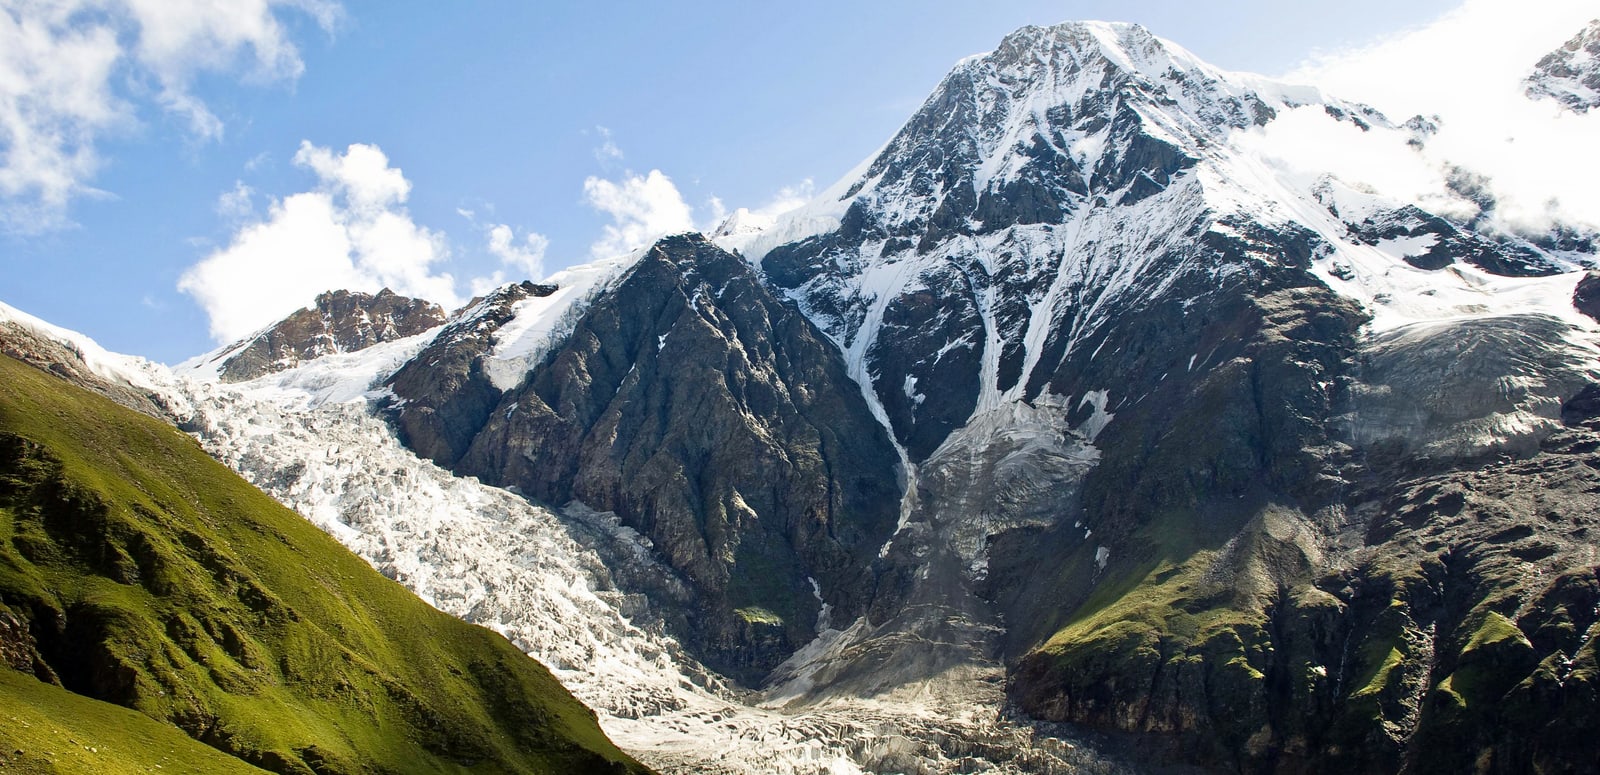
x=490 y=137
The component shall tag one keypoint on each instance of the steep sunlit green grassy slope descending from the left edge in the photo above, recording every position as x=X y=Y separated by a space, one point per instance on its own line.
x=138 y=571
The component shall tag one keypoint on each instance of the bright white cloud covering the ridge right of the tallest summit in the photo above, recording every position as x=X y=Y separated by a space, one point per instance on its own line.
x=1466 y=68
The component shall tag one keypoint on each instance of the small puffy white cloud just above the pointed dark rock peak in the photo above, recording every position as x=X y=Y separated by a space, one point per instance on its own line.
x=642 y=209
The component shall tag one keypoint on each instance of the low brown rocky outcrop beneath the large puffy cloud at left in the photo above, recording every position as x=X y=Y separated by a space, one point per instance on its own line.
x=338 y=323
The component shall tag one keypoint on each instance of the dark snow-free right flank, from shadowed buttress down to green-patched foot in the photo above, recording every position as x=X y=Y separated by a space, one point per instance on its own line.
x=1313 y=576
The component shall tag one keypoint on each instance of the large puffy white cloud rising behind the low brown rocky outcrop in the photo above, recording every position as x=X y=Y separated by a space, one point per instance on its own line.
x=351 y=231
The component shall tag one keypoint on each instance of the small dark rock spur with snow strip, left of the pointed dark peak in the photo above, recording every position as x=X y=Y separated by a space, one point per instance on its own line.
x=446 y=395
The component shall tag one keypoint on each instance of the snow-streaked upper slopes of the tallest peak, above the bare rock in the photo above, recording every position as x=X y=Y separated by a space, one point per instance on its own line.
x=1058 y=179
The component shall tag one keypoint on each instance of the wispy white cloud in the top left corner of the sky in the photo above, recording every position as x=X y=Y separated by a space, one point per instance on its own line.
x=73 y=71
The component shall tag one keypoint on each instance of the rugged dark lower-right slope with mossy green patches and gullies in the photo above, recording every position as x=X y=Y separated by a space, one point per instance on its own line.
x=1433 y=651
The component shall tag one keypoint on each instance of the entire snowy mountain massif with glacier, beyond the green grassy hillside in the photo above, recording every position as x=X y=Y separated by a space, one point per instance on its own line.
x=1191 y=440
